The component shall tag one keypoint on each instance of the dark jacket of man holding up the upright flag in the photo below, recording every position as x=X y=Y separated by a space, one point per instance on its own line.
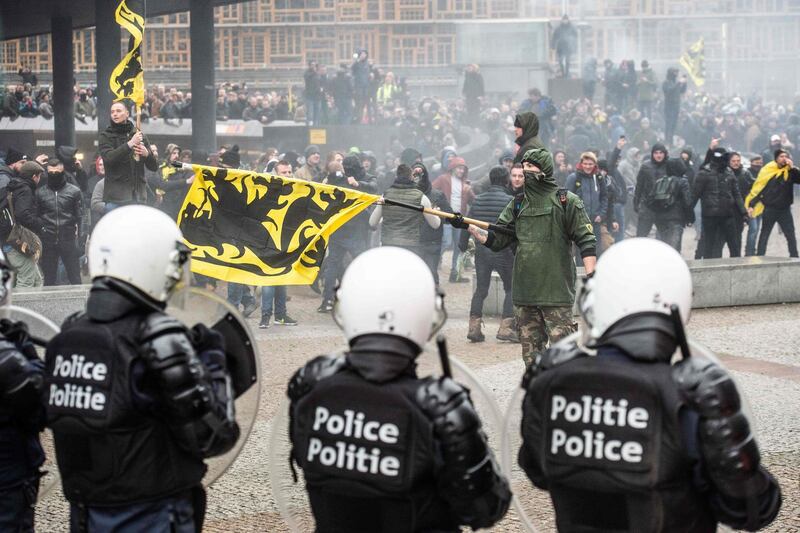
x=125 y=181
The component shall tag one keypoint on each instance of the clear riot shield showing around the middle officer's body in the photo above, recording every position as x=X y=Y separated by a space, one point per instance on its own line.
x=286 y=479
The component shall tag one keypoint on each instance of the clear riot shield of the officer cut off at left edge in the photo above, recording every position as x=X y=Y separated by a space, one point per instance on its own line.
x=41 y=329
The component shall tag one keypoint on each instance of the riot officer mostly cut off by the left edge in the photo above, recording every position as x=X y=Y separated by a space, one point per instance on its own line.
x=21 y=418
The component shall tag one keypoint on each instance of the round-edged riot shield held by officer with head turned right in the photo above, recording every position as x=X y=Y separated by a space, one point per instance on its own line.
x=192 y=305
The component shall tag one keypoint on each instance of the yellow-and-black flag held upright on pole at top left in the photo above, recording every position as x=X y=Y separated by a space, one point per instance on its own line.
x=127 y=79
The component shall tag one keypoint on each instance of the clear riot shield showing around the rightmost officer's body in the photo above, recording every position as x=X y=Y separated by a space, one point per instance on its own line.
x=529 y=500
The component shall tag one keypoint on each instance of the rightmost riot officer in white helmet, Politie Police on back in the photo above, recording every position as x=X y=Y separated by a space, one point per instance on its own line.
x=622 y=439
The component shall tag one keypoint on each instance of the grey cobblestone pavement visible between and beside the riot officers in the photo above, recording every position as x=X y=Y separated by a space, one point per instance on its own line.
x=759 y=344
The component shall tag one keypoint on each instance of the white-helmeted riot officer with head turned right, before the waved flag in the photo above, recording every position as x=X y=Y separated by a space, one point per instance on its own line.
x=135 y=399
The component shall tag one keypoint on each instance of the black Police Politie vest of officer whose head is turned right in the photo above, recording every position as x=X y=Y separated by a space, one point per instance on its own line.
x=110 y=450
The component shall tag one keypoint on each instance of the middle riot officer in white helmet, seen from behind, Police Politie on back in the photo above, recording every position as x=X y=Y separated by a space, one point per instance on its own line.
x=382 y=449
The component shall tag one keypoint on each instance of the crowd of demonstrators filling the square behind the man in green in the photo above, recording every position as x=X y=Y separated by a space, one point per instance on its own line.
x=625 y=172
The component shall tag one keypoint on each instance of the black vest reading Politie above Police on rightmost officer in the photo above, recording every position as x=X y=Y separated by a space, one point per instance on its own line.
x=603 y=436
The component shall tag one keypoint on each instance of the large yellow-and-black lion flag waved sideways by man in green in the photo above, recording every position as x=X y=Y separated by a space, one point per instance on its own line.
x=258 y=229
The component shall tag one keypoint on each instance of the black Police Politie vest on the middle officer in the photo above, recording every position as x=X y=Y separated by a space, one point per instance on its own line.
x=367 y=454
